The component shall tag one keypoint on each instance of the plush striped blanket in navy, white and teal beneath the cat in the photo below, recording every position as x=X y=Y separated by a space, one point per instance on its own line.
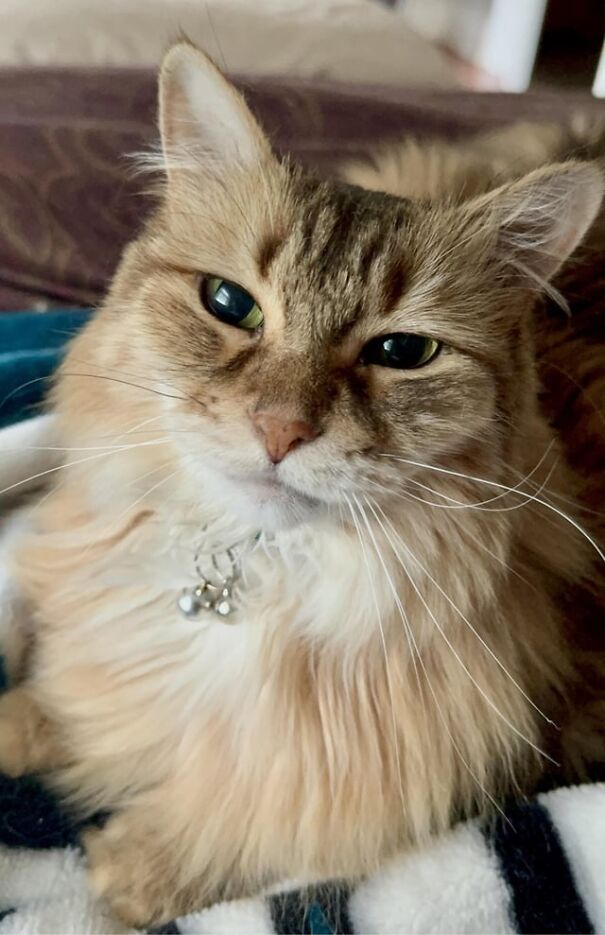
x=539 y=866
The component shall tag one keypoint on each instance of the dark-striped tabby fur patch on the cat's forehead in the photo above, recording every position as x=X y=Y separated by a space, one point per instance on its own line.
x=344 y=249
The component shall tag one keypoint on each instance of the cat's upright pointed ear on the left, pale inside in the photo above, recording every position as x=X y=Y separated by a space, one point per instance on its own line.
x=204 y=120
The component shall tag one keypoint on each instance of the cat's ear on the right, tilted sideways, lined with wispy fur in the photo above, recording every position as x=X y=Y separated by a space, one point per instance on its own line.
x=541 y=219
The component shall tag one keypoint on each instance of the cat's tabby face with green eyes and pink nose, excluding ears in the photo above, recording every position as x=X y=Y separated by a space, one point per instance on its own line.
x=342 y=338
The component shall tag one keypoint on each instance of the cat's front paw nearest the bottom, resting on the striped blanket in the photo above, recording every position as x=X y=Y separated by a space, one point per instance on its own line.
x=127 y=869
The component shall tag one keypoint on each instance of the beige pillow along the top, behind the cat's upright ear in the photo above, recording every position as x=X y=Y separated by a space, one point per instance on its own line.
x=343 y=40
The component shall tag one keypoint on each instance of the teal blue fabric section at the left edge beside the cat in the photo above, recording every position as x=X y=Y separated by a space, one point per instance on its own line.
x=31 y=346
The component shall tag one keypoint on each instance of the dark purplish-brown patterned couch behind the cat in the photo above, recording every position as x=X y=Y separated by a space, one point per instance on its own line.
x=69 y=198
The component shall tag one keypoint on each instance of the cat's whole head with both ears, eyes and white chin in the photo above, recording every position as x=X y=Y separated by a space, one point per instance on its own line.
x=309 y=333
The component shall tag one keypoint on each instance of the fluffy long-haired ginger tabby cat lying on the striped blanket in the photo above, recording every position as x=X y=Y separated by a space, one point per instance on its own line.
x=329 y=392
